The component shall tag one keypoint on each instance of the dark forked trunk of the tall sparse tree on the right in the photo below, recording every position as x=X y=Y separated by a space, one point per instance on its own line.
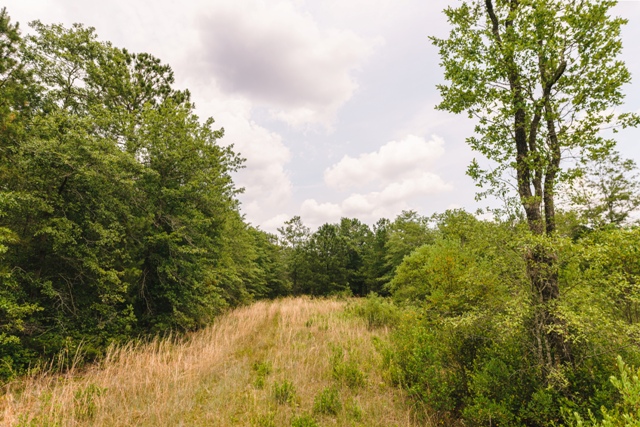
x=551 y=347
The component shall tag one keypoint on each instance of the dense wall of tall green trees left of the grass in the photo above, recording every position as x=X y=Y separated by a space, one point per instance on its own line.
x=118 y=215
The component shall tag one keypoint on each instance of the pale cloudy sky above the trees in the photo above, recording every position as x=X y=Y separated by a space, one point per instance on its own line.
x=331 y=102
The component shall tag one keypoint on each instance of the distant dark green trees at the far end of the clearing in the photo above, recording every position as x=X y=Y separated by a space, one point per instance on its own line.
x=349 y=257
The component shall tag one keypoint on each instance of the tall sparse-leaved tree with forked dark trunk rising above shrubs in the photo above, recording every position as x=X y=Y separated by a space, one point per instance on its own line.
x=541 y=78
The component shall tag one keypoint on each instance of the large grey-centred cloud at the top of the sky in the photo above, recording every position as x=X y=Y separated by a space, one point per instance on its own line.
x=281 y=58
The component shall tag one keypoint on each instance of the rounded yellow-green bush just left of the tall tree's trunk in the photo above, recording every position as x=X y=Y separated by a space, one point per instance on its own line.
x=469 y=267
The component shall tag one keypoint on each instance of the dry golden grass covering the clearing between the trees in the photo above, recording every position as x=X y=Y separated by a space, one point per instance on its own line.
x=227 y=375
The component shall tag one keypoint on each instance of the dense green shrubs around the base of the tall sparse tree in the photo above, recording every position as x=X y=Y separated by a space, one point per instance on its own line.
x=465 y=346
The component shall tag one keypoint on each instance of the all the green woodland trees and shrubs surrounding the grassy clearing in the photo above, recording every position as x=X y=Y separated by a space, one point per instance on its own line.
x=119 y=221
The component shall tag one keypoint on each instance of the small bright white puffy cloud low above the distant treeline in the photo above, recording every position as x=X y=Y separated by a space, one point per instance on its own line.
x=404 y=159
